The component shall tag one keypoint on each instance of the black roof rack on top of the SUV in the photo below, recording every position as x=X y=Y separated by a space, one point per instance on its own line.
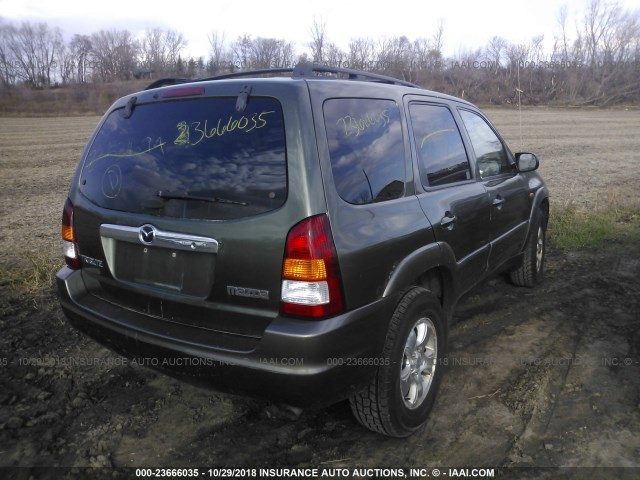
x=302 y=70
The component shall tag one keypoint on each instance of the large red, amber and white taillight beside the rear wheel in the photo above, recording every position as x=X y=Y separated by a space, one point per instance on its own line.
x=311 y=284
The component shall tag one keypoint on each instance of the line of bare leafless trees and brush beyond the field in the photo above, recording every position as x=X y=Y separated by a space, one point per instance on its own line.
x=594 y=60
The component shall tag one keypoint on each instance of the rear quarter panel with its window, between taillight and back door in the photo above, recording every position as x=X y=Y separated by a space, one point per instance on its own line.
x=375 y=217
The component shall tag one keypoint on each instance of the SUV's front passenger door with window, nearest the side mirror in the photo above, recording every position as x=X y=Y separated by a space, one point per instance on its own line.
x=507 y=191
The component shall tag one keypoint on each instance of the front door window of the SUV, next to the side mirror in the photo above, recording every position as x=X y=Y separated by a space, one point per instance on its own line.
x=490 y=153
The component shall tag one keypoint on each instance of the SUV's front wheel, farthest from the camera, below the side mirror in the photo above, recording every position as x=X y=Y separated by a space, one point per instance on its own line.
x=531 y=269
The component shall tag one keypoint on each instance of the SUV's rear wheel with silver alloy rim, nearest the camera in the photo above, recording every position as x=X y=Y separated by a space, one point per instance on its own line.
x=399 y=398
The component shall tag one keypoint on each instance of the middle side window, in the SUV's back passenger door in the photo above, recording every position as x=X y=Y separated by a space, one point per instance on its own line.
x=442 y=158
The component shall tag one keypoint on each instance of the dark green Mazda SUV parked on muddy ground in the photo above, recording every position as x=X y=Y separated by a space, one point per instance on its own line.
x=301 y=235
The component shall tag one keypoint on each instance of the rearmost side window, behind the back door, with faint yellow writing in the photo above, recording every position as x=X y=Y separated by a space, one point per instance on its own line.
x=366 y=149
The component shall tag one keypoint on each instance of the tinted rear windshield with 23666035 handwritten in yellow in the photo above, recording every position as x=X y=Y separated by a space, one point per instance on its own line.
x=197 y=159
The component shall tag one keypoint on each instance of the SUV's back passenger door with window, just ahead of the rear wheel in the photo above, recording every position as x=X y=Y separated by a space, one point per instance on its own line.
x=457 y=206
